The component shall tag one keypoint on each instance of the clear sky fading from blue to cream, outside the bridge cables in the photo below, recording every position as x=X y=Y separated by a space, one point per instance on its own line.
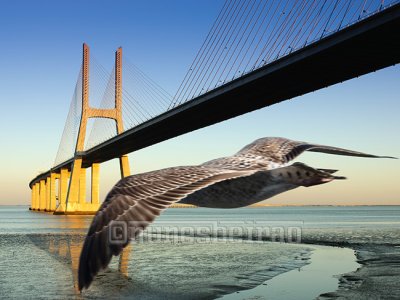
x=40 y=60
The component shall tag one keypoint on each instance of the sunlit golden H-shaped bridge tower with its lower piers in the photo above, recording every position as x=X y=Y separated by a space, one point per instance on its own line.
x=72 y=195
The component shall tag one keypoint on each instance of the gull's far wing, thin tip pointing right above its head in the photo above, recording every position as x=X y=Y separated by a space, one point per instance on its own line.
x=283 y=150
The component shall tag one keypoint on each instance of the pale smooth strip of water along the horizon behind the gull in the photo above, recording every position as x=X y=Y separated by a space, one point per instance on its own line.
x=18 y=219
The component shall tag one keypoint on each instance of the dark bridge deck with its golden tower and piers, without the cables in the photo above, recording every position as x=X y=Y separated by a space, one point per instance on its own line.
x=363 y=47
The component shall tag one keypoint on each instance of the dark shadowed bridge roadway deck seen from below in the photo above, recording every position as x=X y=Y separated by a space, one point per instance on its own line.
x=364 y=47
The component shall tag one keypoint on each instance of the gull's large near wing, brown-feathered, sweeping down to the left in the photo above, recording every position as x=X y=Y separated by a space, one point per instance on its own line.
x=132 y=204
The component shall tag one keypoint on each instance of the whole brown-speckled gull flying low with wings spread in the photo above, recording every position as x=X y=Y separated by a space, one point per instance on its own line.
x=257 y=172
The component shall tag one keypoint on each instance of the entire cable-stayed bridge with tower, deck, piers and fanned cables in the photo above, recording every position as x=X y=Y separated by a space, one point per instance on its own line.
x=256 y=54
